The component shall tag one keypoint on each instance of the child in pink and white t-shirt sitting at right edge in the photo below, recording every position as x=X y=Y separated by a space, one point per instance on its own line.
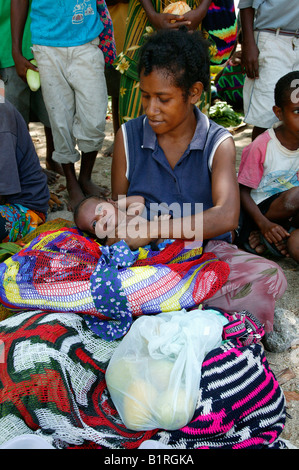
x=269 y=178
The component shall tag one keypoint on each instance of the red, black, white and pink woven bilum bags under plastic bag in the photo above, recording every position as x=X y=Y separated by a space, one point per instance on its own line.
x=52 y=383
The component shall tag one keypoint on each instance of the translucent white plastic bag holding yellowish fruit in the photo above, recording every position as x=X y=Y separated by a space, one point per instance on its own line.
x=154 y=374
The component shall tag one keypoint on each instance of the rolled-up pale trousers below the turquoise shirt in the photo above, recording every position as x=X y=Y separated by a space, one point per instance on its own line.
x=75 y=94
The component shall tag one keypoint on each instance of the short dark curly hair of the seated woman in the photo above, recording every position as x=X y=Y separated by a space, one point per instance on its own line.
x=183 y=55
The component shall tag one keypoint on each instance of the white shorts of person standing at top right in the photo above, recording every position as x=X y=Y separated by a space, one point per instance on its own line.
x=278 y=56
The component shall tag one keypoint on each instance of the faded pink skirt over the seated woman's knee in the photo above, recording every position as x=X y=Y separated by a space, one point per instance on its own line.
x=254 y=283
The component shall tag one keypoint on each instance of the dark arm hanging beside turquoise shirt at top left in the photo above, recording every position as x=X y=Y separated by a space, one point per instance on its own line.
x=18 y=17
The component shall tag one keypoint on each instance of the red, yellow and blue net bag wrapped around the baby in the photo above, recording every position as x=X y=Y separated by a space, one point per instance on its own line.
x=64 y=271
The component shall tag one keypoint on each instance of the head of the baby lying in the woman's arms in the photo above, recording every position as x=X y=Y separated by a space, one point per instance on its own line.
x=96 y=216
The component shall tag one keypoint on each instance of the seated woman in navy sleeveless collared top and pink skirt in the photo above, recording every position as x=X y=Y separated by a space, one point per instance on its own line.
x=175 y=155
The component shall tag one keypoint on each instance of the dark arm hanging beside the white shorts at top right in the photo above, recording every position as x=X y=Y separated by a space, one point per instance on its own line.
x=250 y=50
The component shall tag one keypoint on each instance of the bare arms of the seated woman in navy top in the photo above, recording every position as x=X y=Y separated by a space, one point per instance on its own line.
x=220 y=218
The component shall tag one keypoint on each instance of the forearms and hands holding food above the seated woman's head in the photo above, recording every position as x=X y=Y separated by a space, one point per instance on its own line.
x=191 y=19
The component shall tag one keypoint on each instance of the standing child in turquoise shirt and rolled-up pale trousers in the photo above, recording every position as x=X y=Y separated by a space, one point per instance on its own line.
x=65 y=38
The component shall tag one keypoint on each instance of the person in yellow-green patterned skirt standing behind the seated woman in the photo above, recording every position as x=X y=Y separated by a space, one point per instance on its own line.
x=217 y=19
